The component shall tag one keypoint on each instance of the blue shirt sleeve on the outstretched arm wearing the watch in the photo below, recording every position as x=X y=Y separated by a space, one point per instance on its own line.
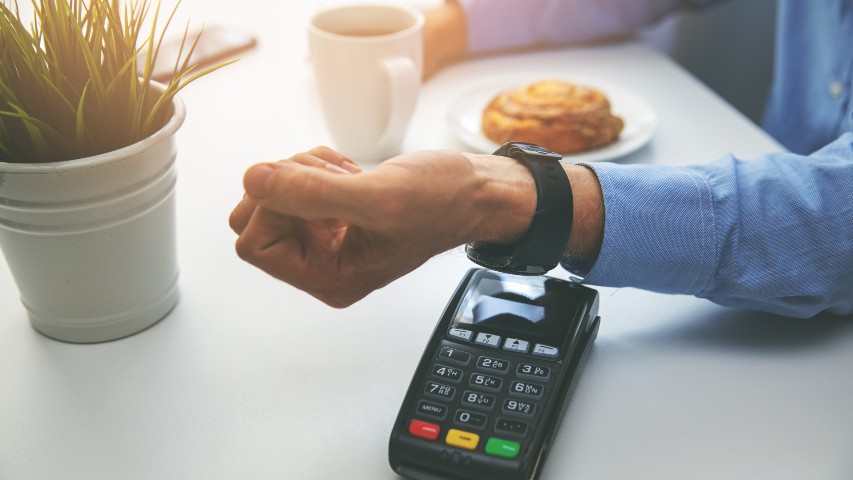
x=773 y=233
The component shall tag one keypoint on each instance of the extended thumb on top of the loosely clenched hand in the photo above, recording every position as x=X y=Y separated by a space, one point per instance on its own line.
x=289 y=188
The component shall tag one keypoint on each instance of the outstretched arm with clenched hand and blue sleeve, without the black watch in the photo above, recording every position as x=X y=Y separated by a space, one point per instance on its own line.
x=770 y=234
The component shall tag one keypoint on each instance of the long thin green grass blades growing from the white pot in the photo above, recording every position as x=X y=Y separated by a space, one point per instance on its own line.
x=76 y=81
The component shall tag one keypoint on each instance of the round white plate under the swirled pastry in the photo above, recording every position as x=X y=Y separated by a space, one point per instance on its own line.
x=465 y=113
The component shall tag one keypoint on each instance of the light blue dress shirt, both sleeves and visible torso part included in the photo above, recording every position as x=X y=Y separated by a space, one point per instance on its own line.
x=773 y=233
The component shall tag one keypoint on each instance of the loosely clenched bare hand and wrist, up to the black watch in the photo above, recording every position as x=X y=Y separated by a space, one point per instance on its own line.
x=316 y=222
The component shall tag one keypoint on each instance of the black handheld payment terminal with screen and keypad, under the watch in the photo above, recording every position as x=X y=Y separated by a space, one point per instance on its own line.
x=491 y=388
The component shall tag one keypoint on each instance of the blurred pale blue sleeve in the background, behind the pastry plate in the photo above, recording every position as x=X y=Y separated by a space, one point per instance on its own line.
x=503 y=24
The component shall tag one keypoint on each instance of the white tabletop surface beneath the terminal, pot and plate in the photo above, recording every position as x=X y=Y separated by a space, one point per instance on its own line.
x=250 y=378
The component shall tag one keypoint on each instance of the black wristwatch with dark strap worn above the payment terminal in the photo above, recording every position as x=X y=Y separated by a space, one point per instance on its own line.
x=542 y=246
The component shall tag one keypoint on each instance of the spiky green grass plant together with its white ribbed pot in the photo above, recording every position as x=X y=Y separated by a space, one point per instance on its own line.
x=87 y=170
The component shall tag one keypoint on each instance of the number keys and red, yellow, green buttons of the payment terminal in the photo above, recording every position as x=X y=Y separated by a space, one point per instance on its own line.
x=480 y=402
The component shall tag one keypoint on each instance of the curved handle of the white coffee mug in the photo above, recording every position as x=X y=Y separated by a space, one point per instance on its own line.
x=404 y=80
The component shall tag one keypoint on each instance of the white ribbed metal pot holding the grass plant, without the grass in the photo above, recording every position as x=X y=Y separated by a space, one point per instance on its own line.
x=91 y=242
